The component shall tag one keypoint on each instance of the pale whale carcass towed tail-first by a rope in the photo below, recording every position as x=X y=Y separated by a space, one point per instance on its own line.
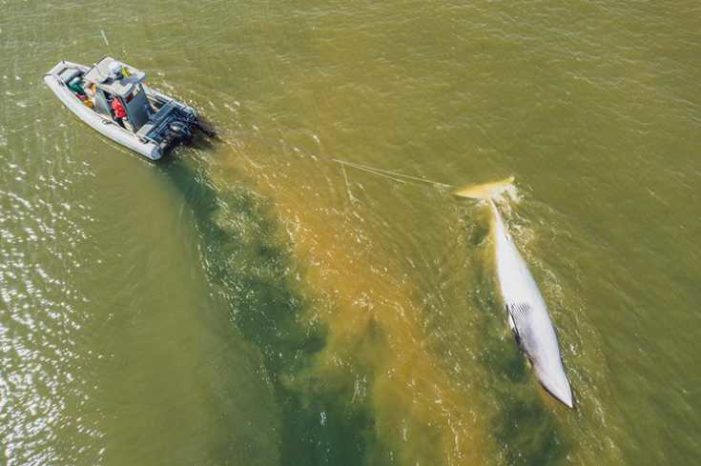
x=527 y=313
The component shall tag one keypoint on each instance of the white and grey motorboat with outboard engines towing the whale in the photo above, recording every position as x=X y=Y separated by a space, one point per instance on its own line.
x=154 y=122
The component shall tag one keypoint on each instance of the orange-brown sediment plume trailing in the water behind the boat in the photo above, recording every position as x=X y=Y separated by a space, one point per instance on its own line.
x=375 y=339
